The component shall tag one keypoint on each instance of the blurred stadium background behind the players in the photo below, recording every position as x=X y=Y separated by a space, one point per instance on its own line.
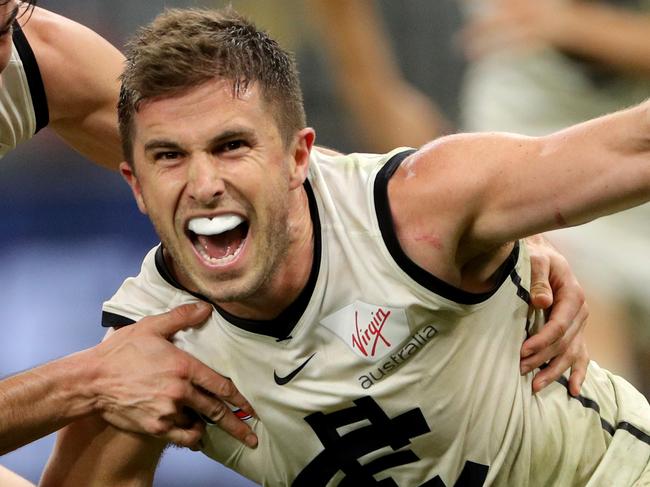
x=376 y=74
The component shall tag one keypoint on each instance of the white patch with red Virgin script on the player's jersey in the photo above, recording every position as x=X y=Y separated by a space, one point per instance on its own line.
x=371 y=331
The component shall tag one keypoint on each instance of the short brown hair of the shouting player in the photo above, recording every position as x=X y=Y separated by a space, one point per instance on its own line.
x=184 y=48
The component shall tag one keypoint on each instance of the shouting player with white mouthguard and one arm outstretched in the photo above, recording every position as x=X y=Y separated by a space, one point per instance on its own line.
x=370 y=307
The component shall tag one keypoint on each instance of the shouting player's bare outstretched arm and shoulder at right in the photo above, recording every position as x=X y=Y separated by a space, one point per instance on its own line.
x=490 y=189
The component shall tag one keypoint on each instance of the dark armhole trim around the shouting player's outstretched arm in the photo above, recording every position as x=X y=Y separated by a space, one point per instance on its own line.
x=417 y=273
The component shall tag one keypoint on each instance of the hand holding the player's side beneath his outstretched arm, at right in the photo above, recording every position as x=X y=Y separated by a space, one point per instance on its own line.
x=560 y=343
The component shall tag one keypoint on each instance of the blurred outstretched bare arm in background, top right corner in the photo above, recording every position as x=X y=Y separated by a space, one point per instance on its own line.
x=613 y=36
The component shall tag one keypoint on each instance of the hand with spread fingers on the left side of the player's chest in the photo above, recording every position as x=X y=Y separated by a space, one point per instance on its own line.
x=161 y=380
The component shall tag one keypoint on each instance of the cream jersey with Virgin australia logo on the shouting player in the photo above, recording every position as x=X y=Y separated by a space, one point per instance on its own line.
x=381 y=374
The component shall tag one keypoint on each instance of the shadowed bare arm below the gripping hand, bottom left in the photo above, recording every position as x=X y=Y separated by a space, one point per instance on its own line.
x=92 y=453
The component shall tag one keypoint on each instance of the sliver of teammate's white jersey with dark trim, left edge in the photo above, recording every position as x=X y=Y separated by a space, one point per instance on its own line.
x=23 y=105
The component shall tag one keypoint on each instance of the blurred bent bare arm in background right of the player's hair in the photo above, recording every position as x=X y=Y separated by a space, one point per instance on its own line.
x=389 y=111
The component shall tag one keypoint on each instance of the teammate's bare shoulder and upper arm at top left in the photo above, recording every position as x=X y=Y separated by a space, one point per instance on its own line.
x=80 y=72
